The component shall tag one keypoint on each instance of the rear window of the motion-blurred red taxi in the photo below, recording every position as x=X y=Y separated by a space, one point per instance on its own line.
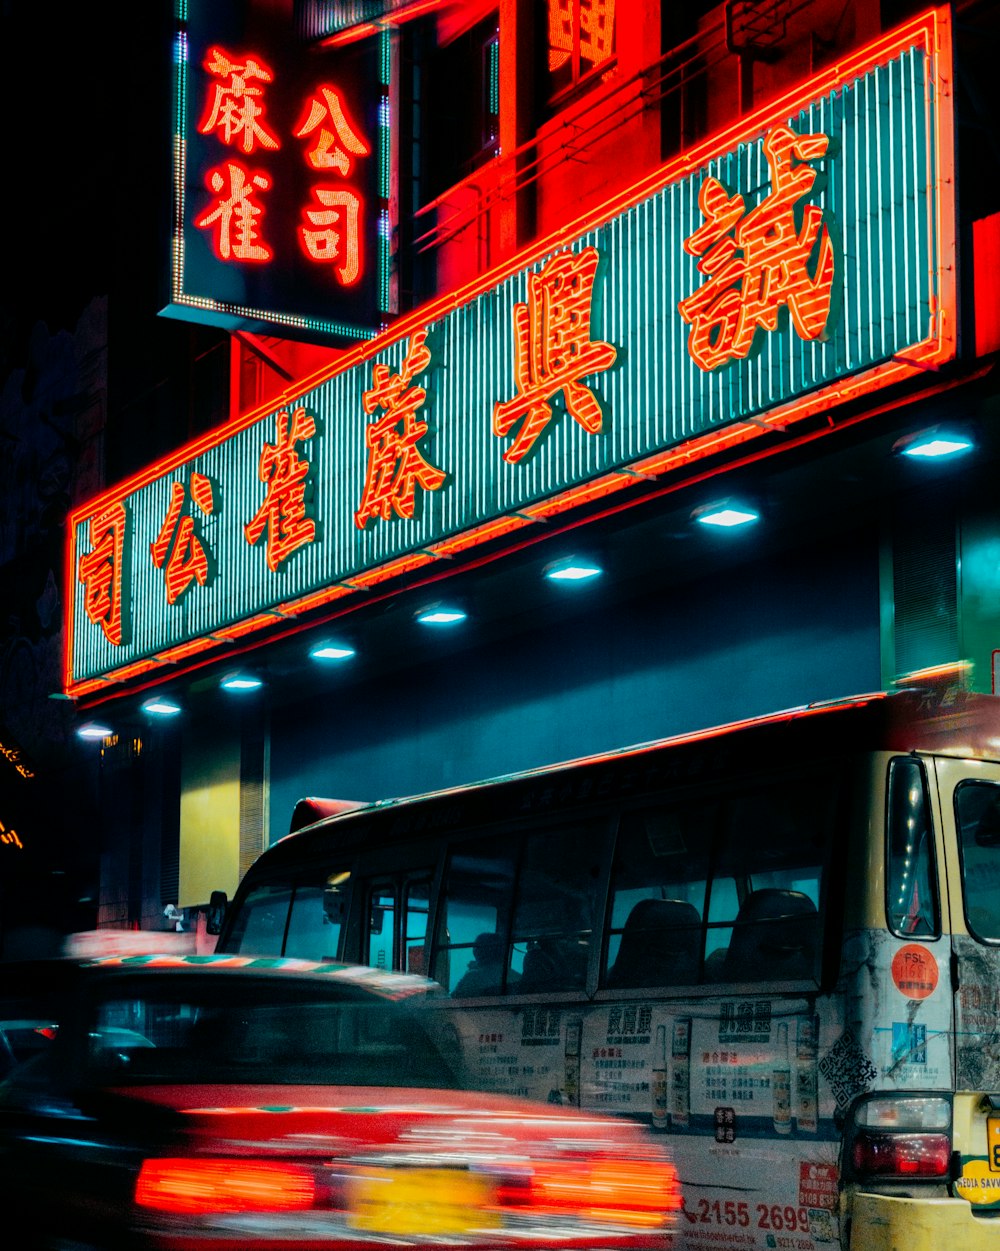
x=248 y=1030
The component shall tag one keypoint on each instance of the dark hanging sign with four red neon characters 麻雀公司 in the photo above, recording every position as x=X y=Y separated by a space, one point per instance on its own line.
x=275 y=76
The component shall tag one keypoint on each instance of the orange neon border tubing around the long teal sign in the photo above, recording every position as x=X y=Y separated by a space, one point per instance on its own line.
x=931 y=31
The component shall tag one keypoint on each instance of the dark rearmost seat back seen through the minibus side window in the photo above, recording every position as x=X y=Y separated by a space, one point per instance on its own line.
x=775 y=938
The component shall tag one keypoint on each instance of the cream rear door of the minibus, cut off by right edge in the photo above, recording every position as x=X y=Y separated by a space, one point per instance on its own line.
x=971 y=803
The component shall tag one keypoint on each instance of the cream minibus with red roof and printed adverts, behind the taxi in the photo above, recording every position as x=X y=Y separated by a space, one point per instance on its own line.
x=774 y=943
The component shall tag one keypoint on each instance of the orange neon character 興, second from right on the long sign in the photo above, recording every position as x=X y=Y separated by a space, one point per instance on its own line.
x=554 y=351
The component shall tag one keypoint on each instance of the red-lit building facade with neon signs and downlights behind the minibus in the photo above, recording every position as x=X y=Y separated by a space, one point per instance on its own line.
x=598 y=277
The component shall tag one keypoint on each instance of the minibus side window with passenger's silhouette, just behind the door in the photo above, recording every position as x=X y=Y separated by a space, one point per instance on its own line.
x=475 y=914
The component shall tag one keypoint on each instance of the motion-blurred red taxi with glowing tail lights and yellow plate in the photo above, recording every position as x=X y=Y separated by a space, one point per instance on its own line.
x=222 y=1103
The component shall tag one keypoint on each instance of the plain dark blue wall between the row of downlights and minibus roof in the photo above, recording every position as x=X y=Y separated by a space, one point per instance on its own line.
x=769 y=635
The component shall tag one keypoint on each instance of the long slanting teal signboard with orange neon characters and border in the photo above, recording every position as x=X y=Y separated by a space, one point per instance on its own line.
x=211 y=552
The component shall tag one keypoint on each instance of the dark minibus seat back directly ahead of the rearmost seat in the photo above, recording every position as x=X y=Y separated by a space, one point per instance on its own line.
x=661 y=945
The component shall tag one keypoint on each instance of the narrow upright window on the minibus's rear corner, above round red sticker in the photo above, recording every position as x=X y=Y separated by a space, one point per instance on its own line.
x=912 y=883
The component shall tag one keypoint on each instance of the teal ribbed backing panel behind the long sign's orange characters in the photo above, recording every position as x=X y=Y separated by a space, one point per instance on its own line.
x=883 y=197
